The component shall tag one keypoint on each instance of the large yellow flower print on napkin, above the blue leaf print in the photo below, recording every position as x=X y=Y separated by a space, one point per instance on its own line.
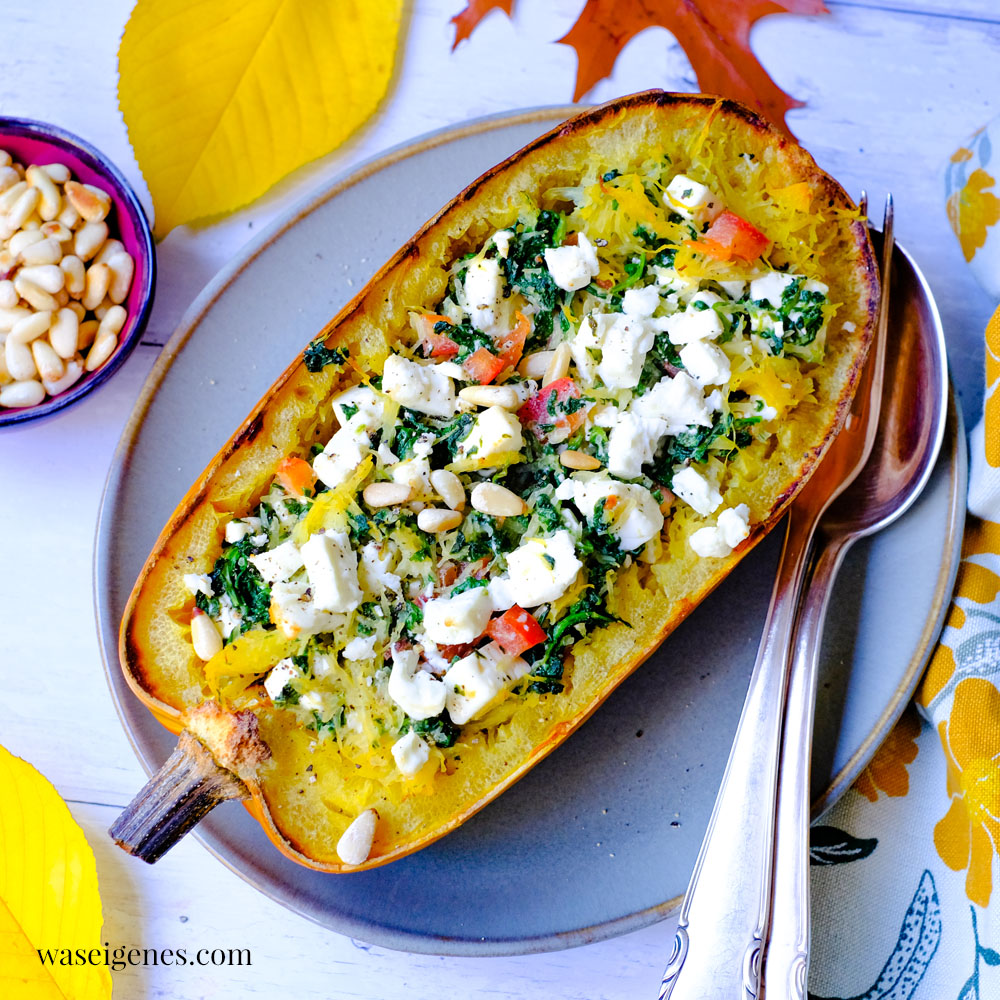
x=969 y=834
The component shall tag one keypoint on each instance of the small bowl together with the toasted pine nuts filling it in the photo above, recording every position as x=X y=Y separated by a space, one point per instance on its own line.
x=77 y=269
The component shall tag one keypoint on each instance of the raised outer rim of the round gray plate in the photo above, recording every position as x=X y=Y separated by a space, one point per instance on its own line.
x=405 y=940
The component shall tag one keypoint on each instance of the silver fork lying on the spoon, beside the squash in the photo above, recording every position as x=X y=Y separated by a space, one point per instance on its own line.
x=726 y=911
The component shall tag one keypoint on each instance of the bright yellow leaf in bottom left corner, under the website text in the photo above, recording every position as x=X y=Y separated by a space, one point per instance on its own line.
x=48 y=893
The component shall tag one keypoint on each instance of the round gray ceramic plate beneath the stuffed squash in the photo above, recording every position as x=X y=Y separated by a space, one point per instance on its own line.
x=601 y=837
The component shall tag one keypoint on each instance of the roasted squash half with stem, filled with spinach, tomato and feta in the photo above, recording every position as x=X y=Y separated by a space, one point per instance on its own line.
x=543 y=432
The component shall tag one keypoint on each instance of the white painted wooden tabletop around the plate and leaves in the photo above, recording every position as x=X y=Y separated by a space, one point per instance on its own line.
x=893 y=88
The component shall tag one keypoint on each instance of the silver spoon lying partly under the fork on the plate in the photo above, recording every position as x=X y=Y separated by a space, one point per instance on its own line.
x=910 y=432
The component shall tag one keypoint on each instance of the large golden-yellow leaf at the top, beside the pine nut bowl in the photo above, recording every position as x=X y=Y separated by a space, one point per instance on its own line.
x=222 y=100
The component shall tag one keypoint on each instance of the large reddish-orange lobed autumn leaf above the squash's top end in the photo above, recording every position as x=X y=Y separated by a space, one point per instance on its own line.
x=715 y=34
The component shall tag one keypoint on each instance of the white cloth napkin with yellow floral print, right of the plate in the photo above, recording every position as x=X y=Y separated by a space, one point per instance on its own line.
x=905 y=866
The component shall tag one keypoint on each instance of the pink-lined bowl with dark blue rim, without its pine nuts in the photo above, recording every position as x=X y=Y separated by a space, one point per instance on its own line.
x=36 y=142
